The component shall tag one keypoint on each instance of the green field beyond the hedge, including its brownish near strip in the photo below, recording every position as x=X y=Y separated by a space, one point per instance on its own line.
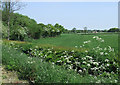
x=69 y=41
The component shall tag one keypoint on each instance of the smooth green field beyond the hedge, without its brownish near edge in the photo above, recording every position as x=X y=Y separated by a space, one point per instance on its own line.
x=72 y=40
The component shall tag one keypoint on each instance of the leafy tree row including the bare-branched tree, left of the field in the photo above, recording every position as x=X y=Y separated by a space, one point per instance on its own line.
x=19 y=27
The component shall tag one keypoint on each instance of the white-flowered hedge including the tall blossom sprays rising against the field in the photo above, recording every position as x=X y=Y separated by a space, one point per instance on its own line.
x=99 y=62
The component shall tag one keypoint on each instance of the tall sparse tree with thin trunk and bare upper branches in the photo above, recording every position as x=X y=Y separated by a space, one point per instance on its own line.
x=8 y=7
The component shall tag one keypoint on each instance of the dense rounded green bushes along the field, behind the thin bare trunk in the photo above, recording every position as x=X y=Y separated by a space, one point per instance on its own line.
x=22 y=26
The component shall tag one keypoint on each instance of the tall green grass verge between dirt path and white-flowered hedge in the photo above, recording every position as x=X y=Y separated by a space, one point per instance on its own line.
x=43 y=72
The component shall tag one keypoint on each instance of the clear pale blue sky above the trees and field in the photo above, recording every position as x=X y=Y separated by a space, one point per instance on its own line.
x=93 y=15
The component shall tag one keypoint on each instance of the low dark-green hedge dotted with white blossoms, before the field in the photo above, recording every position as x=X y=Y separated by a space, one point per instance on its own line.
x=90 y=61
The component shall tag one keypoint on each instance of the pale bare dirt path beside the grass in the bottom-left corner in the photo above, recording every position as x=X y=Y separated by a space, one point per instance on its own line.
x=10 y=77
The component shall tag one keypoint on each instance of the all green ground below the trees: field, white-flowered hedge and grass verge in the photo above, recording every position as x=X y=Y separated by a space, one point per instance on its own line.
x=75 y=58
